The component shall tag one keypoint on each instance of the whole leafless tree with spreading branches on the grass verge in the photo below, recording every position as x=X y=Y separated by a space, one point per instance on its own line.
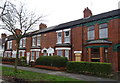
x=17 y=18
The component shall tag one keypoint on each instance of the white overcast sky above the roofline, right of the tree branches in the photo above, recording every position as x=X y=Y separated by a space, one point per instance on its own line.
x=61 y=11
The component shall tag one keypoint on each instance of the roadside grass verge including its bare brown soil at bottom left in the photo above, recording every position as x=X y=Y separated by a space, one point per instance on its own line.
x=32 y=77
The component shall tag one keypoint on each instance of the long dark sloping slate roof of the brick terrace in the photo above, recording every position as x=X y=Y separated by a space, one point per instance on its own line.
x=81 y=21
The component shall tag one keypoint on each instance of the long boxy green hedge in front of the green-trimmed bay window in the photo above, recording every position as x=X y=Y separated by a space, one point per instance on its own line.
x=96 y=68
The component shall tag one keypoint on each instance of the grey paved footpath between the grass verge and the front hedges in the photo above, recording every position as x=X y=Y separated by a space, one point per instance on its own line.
x=71 y=75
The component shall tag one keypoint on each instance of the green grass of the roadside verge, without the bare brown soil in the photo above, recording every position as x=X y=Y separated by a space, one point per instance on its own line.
x=36 y=77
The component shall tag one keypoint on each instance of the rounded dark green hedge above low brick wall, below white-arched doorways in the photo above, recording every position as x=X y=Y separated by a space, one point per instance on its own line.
x=55 y=61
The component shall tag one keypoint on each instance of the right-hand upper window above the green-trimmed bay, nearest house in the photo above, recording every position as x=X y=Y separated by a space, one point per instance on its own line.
x=103 y=31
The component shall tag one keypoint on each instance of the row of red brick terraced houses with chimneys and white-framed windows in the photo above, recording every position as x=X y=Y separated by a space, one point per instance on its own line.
x=94 y=38
